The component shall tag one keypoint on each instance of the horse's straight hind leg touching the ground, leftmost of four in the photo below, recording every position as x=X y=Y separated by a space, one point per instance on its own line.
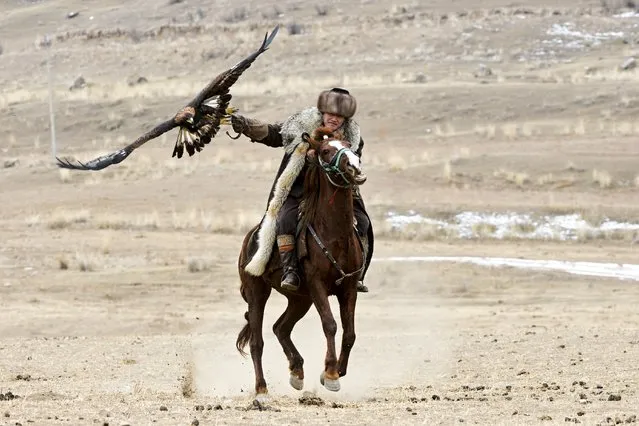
x=257 y=302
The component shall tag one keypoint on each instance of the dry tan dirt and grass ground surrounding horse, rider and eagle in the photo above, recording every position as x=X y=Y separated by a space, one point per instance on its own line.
x=119 y=299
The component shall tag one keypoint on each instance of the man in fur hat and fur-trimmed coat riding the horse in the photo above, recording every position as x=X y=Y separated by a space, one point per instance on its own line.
x=335 y=109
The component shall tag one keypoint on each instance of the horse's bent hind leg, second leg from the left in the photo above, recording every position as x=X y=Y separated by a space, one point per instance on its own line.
x=296 y=309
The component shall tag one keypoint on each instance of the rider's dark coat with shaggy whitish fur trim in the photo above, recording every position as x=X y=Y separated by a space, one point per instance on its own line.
x=290 y=176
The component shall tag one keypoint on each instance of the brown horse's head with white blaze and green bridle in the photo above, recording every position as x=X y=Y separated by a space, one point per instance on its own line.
x=335 y=157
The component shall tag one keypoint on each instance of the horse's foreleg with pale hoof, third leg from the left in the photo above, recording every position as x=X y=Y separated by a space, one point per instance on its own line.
x=330 y=376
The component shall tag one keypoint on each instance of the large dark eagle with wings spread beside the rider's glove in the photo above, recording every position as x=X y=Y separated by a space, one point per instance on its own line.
x=198 y=122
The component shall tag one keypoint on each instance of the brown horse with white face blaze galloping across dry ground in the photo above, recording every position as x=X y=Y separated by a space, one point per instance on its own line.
x=331 y=263
